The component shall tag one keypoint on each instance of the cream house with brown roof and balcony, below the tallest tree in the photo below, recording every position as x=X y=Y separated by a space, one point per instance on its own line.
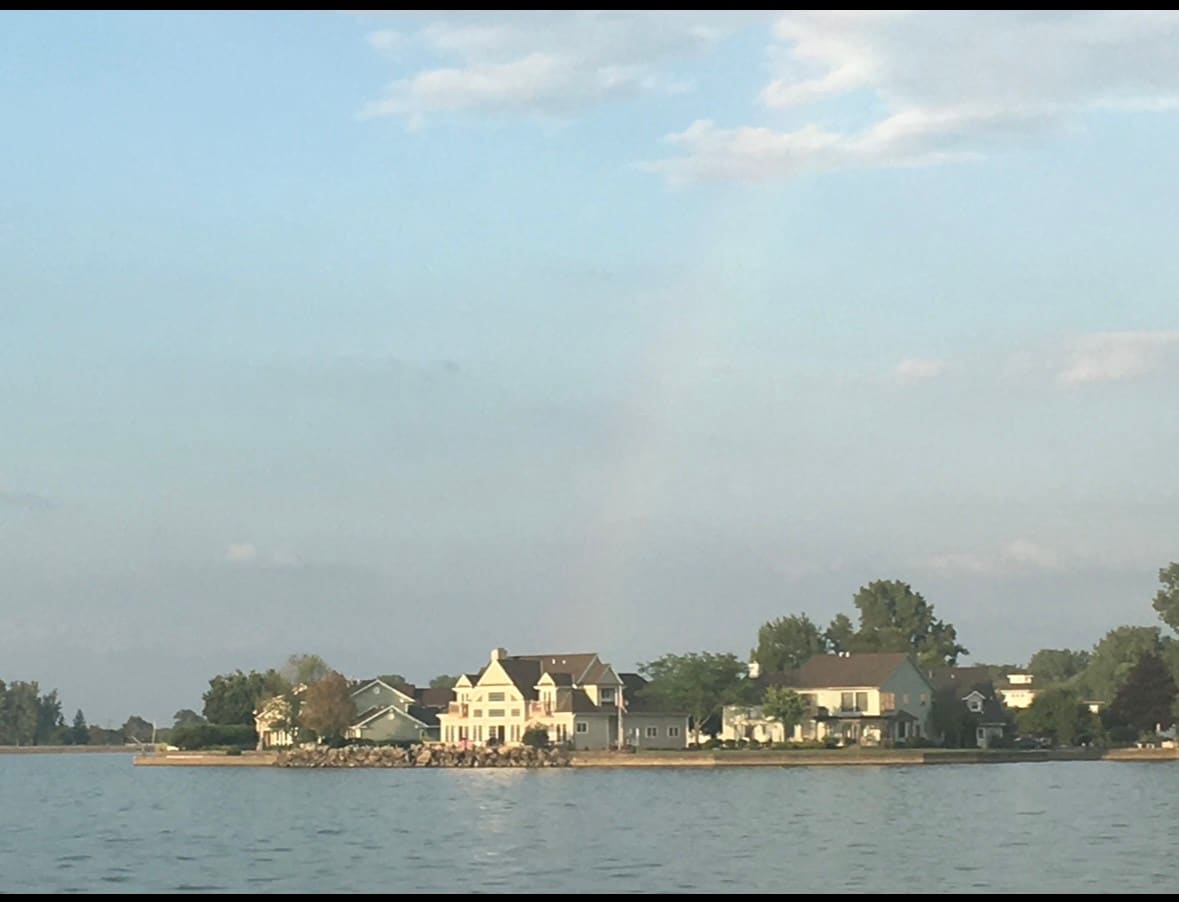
x=852 y=699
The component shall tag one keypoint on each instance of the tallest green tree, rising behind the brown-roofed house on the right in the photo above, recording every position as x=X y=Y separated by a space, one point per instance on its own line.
x=894 y=618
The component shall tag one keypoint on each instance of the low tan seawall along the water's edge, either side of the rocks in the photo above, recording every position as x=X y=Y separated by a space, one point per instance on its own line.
x=841 y=758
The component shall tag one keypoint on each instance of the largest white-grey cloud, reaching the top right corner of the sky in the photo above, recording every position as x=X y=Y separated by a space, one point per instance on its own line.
x=945 y=88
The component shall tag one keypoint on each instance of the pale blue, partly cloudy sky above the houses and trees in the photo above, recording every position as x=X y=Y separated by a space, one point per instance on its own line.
x=394 y=338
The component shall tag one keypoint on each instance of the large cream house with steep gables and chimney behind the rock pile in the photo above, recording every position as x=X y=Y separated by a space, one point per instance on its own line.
x=578 y=700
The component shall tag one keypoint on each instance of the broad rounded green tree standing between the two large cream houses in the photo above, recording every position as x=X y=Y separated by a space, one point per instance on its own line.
x=699 y=684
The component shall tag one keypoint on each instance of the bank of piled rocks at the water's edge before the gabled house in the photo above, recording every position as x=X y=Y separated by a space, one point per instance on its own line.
x=423 y=756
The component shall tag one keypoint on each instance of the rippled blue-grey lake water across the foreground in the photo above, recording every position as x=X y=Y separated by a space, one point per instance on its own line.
x=95 y=824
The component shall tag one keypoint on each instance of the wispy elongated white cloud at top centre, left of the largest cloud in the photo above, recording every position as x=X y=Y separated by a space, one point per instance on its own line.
x=543 y=64
